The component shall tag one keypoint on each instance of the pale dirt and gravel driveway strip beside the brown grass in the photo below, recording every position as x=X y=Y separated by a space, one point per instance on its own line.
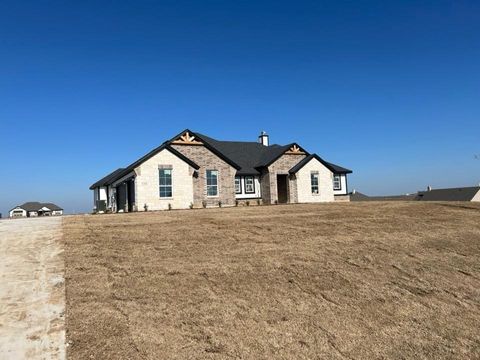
x=32 y=292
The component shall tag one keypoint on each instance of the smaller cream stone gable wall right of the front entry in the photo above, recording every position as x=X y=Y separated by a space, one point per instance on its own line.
x=325 y=183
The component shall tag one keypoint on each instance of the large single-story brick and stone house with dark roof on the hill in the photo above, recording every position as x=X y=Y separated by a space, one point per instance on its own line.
x=194 y=170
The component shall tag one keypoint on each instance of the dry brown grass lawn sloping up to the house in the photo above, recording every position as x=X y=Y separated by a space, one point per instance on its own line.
x=397 y=280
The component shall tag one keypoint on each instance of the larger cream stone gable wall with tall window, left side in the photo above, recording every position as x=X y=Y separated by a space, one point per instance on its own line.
x=147 y=183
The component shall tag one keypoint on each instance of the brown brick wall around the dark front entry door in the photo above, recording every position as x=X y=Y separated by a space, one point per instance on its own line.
x=281 y=166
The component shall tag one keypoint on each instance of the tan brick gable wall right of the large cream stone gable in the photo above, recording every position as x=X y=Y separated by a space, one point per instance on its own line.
x=209 y=161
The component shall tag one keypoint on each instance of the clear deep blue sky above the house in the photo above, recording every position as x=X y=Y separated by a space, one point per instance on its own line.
x=388 y=89
